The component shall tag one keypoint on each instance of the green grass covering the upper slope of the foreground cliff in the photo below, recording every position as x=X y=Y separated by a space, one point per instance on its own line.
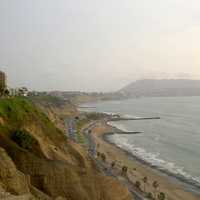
x=19 y=112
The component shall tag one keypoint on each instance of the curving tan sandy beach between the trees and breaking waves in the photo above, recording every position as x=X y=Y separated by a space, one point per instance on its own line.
x=174 y=190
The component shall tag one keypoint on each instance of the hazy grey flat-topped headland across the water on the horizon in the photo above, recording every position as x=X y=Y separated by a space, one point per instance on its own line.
x=162 y=87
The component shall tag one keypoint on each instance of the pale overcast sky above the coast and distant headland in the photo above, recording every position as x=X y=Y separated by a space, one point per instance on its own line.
x=98 y=45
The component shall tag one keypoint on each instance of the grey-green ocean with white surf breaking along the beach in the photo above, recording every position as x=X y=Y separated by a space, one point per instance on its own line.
x=171 y=143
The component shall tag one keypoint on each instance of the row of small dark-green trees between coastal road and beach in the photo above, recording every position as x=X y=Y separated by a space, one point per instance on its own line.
x=156 y=196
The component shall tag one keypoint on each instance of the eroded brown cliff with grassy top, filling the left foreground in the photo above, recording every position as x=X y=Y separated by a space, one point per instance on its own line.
x=51 y=167
